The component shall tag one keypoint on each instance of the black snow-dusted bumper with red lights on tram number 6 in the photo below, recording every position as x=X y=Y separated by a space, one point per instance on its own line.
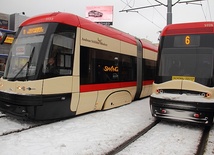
x=197 y=112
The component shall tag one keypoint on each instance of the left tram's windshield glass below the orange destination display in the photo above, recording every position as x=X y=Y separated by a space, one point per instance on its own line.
x=23 y=57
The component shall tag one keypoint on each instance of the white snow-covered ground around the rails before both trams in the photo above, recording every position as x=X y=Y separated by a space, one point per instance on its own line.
x=99 y=132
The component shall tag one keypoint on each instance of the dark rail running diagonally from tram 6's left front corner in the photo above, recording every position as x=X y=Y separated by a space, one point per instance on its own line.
x=132 y=139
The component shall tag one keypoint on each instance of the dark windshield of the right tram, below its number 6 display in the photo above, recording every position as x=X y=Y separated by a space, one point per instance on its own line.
x=196 y=62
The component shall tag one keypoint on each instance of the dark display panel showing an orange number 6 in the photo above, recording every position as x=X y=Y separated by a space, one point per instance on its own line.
x=187 y=40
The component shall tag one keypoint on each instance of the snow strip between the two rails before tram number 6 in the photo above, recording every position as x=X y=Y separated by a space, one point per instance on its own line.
x=167 y=139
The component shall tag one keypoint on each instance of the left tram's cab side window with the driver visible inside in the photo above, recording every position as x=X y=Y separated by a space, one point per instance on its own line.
x=60 y=58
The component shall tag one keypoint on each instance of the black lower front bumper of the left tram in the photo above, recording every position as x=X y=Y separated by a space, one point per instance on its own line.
x=36 y=107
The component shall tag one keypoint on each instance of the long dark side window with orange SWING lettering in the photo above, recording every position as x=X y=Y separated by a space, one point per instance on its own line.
x=98 y=66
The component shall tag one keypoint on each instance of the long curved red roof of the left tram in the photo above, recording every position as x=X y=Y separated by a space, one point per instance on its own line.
x=71 y=19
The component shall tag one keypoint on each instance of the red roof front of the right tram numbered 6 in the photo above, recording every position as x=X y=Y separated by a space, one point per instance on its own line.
x=189 y=28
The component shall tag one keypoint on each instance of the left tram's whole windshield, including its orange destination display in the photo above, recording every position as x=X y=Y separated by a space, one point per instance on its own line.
x=25 y=51
